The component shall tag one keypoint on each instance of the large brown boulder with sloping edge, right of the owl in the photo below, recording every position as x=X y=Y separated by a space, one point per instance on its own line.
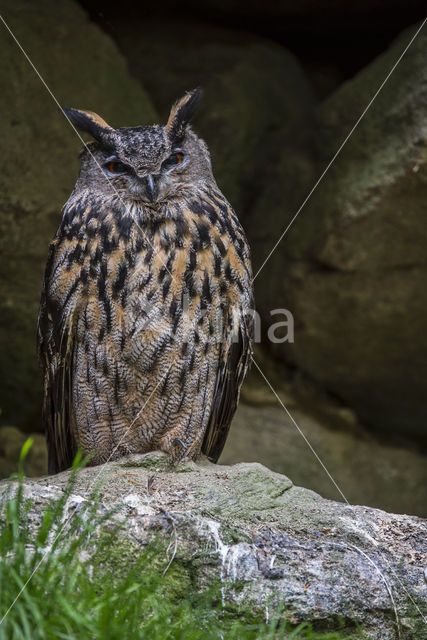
x=354 y=262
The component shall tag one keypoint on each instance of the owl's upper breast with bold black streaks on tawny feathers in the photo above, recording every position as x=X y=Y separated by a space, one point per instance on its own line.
x=129 y=285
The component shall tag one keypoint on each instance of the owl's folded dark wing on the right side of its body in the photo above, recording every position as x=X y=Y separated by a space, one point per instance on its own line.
x=234 y=361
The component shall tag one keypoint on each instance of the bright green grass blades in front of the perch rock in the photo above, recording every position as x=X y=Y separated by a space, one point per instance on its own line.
x=66 y=595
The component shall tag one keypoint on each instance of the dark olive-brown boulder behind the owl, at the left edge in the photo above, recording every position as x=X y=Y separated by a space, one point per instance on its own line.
x=38 y=164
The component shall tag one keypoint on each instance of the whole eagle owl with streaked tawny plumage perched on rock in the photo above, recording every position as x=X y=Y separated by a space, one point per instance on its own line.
x=144 y=335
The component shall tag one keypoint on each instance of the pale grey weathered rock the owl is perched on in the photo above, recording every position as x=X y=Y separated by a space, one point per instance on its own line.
x=287 y=547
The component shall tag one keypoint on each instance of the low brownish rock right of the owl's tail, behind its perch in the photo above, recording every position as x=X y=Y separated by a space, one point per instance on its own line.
x=368 y=471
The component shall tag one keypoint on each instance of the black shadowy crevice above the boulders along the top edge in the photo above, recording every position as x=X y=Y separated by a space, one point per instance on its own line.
x=341 y=38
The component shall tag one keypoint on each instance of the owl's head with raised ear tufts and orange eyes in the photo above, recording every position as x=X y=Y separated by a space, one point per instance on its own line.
x=150 y=163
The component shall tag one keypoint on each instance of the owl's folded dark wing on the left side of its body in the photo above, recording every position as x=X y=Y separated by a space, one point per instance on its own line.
x=55 y=341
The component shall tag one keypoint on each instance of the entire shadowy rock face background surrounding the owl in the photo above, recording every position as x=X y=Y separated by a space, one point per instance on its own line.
x=283 y=88
